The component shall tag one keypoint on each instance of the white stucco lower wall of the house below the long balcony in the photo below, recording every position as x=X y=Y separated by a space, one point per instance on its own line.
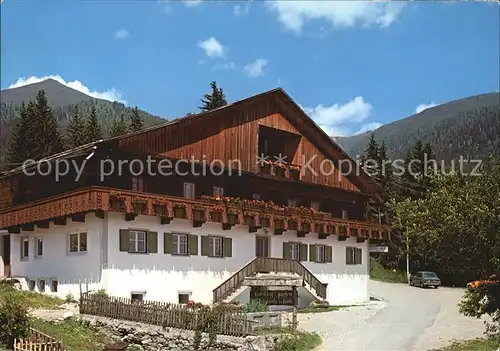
x=163 y=276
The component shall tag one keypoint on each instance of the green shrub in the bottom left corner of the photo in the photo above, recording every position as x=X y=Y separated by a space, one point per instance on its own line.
x=14 y=322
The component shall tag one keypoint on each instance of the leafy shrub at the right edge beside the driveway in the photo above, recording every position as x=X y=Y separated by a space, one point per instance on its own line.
x=483 y=297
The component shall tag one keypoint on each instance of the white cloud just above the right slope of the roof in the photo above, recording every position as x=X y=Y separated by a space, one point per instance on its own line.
x=339 y=120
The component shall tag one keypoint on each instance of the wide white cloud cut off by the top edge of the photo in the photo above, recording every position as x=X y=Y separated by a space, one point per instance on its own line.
x=293 y=14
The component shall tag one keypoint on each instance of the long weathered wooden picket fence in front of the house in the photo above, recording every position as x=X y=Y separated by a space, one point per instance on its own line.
x=164 y=314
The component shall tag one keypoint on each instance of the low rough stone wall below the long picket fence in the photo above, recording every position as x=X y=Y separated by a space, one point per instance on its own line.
x=154 y=338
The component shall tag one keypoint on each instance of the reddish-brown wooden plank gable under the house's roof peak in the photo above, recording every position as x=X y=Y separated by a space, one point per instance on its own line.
x=231 y=133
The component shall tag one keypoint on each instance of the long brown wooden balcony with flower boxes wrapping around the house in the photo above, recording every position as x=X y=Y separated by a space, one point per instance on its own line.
x=227 y=211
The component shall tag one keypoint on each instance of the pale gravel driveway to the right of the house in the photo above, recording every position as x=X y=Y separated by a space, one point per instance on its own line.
x=407 y=319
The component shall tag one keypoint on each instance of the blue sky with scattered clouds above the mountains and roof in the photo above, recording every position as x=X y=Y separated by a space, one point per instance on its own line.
x=351 y=65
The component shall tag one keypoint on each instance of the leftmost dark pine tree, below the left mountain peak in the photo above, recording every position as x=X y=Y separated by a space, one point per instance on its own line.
x=21 y=141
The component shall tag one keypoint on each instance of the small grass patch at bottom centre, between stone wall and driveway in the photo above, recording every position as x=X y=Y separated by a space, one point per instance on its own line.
x=294 y=340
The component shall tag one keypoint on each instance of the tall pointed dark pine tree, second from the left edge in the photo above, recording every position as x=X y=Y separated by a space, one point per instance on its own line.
x=48 y=139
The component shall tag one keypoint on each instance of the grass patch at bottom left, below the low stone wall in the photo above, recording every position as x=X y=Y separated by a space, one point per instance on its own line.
x=75 y=335
